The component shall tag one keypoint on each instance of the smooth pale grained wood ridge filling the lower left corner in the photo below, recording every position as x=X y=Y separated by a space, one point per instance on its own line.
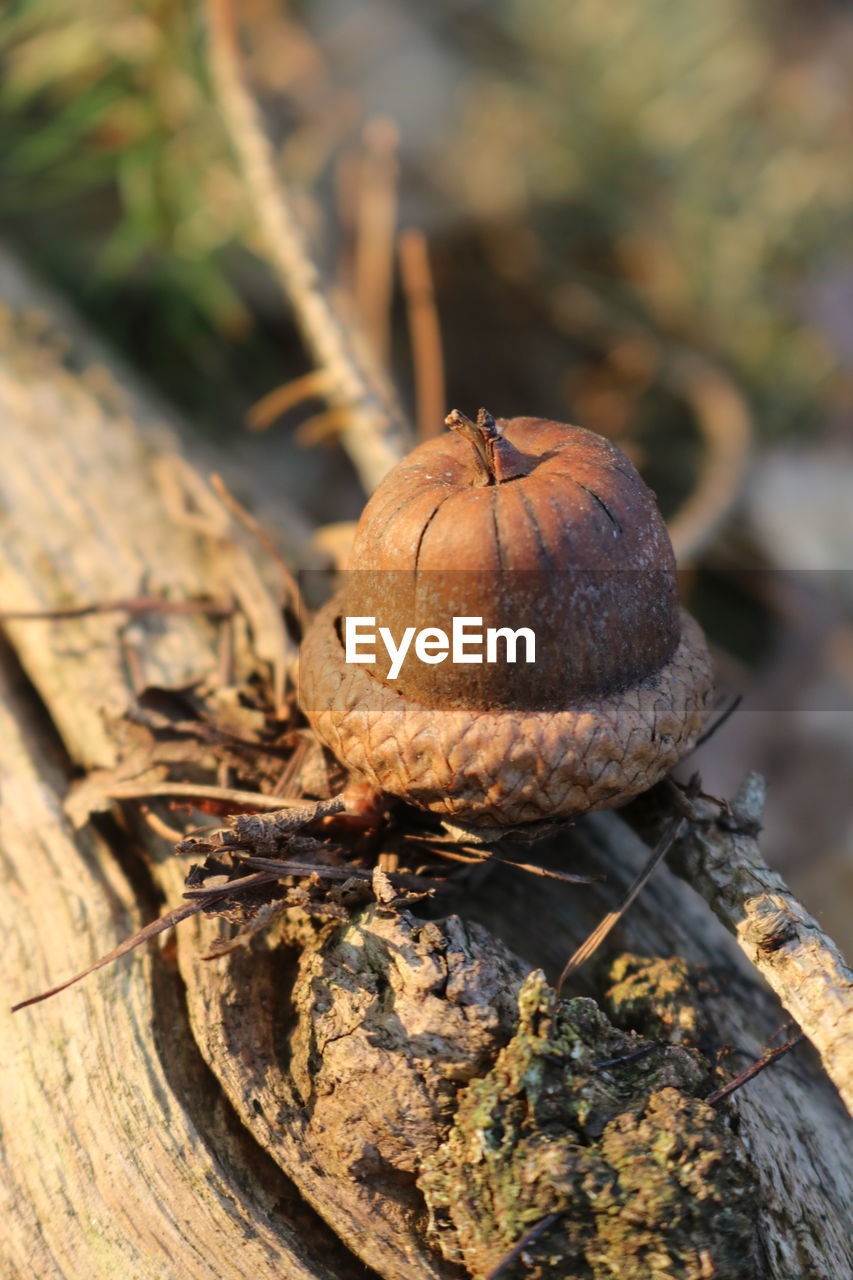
x=118 y=1156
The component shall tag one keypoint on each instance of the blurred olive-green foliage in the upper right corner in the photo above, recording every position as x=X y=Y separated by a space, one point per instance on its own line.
x=709 y=154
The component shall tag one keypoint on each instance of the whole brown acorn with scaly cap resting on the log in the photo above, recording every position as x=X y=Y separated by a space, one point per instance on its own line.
x=509 y=648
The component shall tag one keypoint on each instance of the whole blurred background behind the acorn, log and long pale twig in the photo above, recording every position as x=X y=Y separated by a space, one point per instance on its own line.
x=638 y=218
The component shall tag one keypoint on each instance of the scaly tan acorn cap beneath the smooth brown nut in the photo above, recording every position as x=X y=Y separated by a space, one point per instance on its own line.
x=505 y=767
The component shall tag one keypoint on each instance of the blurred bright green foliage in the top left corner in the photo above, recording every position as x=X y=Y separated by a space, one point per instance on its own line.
x=116 y=175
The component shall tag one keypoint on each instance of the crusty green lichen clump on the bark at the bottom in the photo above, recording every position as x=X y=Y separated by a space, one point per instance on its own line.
x=645 y=1176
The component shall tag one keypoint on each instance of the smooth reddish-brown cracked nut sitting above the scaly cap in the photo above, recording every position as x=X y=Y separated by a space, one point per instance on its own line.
x=576 y=550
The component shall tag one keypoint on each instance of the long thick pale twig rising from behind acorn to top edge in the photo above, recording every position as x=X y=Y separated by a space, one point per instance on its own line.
x=377 y=436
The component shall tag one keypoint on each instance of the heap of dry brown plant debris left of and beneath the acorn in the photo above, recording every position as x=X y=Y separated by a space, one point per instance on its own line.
x=298 y=831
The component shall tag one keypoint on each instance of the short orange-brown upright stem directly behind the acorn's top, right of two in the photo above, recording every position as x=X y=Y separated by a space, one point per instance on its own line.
x=425 y=332
